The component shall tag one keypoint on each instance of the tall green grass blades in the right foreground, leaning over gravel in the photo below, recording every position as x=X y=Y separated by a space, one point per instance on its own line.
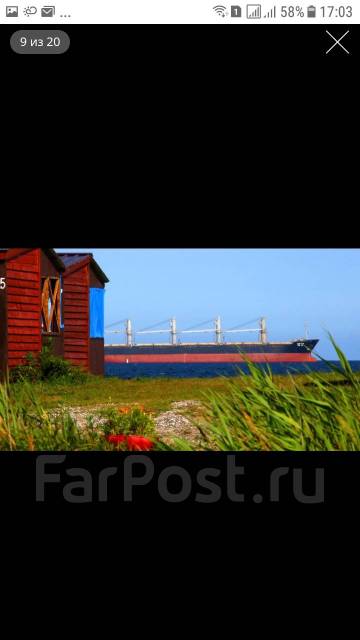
x=316 y=413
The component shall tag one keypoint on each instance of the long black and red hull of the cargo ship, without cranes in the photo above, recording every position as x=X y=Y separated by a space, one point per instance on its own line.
x=254 y=352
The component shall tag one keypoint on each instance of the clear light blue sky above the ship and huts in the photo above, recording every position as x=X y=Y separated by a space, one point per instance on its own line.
x=287 y=286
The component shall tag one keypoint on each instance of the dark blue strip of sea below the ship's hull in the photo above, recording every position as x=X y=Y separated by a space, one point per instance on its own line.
x=212 y=370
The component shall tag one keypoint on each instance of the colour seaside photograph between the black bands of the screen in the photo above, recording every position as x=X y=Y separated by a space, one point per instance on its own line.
x=175 y=350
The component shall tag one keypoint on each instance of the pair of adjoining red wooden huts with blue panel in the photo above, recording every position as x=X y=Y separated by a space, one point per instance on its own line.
x=41 y=297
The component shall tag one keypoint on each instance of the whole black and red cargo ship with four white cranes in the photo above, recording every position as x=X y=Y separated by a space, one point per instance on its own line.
x=219 y=351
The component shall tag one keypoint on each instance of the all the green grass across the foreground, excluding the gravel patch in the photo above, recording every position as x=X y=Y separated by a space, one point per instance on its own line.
x=260 y=411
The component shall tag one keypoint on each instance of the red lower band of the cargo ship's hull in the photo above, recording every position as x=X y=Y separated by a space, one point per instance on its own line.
x=186 y=358
